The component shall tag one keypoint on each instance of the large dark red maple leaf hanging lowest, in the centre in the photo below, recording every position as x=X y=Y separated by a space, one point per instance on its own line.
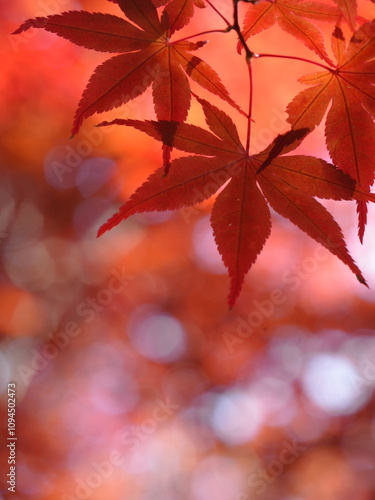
x=241 y=218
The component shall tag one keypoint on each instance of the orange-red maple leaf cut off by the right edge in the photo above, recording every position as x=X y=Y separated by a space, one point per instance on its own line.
x=349 y=128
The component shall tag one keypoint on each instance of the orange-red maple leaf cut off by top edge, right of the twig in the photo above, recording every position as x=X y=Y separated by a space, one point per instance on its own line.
x=292 y=16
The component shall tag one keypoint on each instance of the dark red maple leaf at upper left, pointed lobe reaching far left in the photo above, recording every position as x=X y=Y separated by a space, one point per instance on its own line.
x=148 y=57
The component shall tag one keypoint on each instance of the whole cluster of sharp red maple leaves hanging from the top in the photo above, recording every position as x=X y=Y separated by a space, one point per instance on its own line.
x=240 y=218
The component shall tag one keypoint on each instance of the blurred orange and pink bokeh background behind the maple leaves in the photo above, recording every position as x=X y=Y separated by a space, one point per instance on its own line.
x=133 y=380
